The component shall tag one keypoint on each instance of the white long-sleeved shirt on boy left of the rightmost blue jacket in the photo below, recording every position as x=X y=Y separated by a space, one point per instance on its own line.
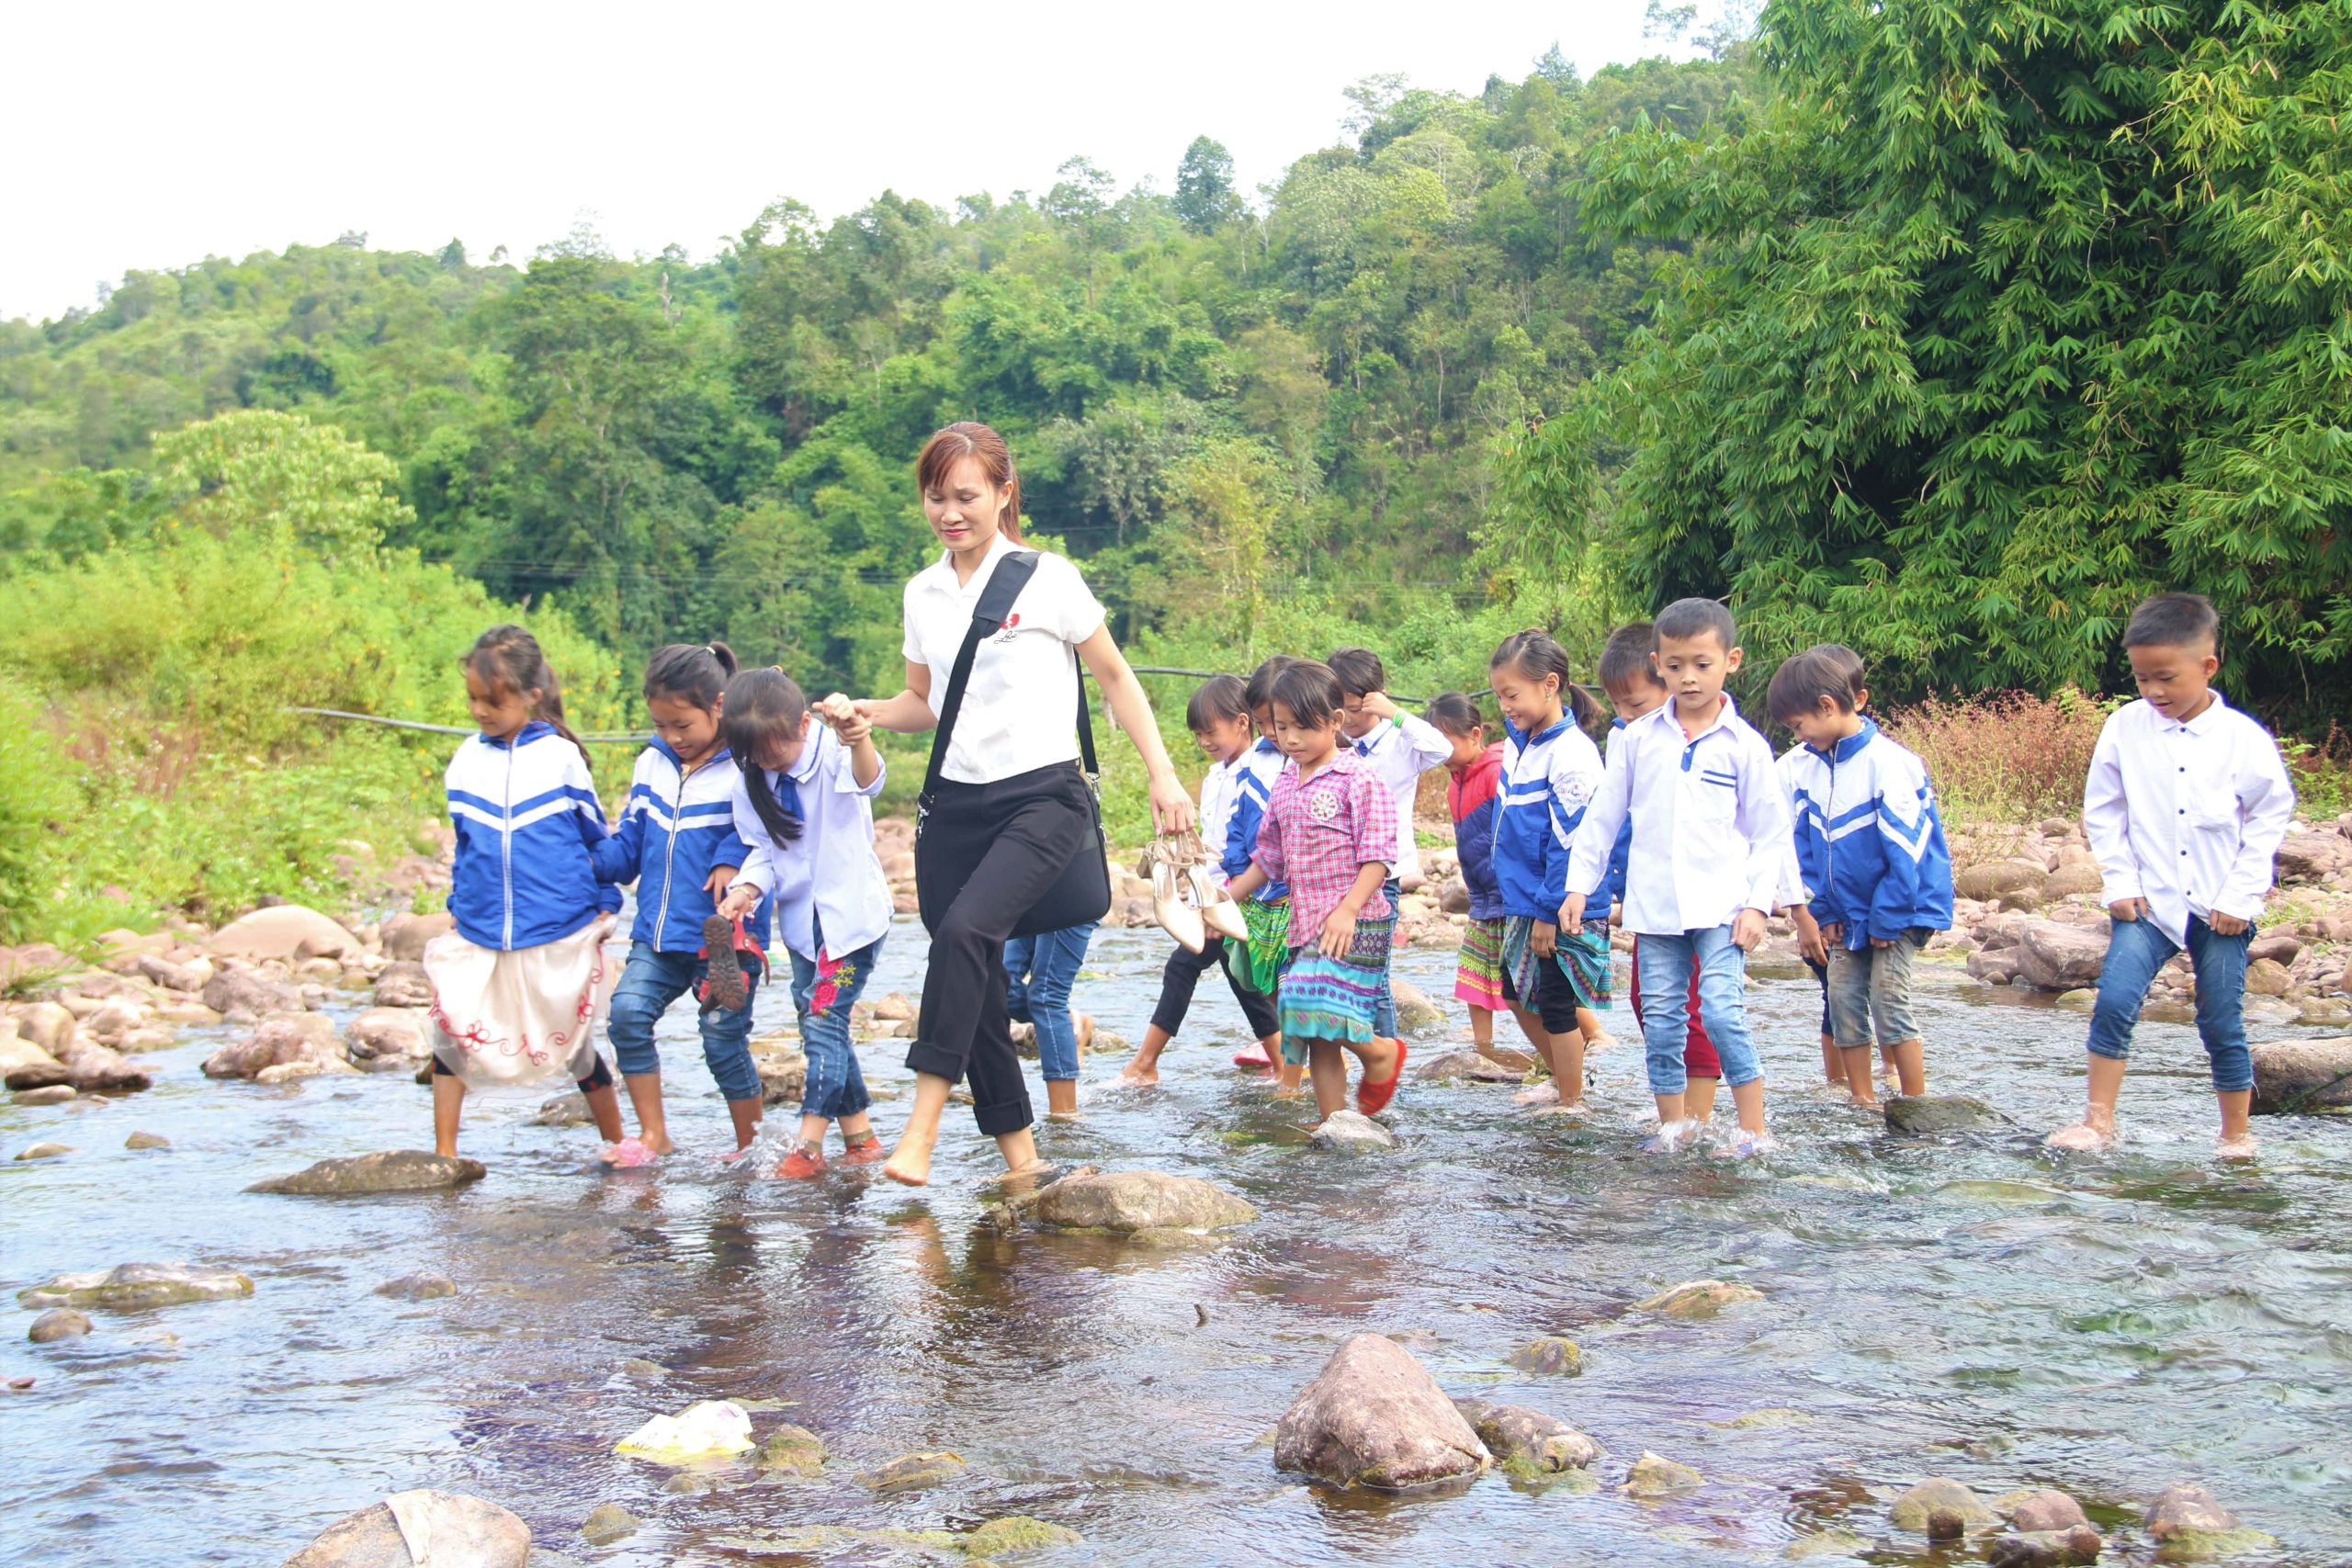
x=1711 y=829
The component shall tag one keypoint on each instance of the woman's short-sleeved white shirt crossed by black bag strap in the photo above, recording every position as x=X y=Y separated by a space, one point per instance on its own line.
x=1022 y=699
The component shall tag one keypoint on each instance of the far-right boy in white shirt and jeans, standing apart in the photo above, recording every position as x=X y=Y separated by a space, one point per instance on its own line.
x=2184 y=808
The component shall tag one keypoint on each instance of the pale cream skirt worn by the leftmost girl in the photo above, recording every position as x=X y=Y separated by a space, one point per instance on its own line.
x=519 y=1017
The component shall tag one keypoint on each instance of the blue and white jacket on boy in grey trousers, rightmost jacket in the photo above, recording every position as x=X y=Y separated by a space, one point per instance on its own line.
x=1869 y=838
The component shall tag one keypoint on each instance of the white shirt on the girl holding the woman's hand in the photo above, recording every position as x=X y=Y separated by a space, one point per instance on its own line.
x=829 y=876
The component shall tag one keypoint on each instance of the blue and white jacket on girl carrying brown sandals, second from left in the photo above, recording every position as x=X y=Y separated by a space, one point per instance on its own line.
x=674 y=829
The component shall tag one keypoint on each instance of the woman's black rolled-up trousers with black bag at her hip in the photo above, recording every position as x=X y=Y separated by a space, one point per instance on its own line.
x=1001 y=845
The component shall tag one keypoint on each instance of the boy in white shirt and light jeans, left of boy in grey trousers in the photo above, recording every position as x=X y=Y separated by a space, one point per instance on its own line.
x=1706 y=866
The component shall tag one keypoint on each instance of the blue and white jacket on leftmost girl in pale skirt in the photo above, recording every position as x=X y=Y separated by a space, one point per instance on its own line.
x=528 y=824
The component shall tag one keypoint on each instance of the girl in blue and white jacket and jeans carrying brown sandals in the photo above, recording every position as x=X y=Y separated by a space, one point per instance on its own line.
x=679 y=845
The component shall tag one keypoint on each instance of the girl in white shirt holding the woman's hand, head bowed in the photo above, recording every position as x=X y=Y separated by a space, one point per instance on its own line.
x=803 y=805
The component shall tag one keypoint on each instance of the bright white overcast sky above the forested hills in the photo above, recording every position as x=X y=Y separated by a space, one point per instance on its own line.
x=149 y=138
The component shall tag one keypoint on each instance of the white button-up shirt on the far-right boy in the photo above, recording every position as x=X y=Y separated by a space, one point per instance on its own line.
x=2186 y=817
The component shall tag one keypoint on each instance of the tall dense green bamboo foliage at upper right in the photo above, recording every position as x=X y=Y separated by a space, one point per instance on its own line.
x=2003 y=319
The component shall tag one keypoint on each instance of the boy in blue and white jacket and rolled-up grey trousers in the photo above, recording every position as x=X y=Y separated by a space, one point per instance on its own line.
x=1871 y=850
